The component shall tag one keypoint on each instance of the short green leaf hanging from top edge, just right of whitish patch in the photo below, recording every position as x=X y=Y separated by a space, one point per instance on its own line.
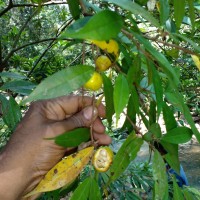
x=164 y=11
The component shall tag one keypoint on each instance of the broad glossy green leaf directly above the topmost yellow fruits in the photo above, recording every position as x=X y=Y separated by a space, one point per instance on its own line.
x=96 y=27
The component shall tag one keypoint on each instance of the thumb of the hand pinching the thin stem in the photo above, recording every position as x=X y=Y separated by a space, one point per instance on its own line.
x=84 y=118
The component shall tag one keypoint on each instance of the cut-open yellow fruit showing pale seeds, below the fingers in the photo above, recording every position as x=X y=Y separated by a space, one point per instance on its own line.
x=102 y=159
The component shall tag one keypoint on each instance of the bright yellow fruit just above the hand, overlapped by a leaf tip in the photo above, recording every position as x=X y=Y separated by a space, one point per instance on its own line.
x=95 y=82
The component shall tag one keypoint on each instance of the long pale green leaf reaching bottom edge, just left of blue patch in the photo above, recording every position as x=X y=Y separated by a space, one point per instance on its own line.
x=160 y=177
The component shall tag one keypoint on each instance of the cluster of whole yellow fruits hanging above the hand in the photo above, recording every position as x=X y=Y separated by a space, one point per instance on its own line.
x=102 y=63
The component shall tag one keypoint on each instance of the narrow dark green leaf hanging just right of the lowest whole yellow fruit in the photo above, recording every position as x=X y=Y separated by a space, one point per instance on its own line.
x=108 y=92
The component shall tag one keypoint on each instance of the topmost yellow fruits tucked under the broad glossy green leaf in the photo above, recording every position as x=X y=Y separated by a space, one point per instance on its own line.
x=111 y=46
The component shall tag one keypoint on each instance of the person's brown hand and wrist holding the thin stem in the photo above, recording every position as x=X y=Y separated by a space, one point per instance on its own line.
x=29 y=157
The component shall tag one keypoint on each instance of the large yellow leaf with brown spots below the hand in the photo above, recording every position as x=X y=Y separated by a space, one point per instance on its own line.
x=64 y=172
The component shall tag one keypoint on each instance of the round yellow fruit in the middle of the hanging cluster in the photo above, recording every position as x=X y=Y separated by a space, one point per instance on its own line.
x=103 y=63
